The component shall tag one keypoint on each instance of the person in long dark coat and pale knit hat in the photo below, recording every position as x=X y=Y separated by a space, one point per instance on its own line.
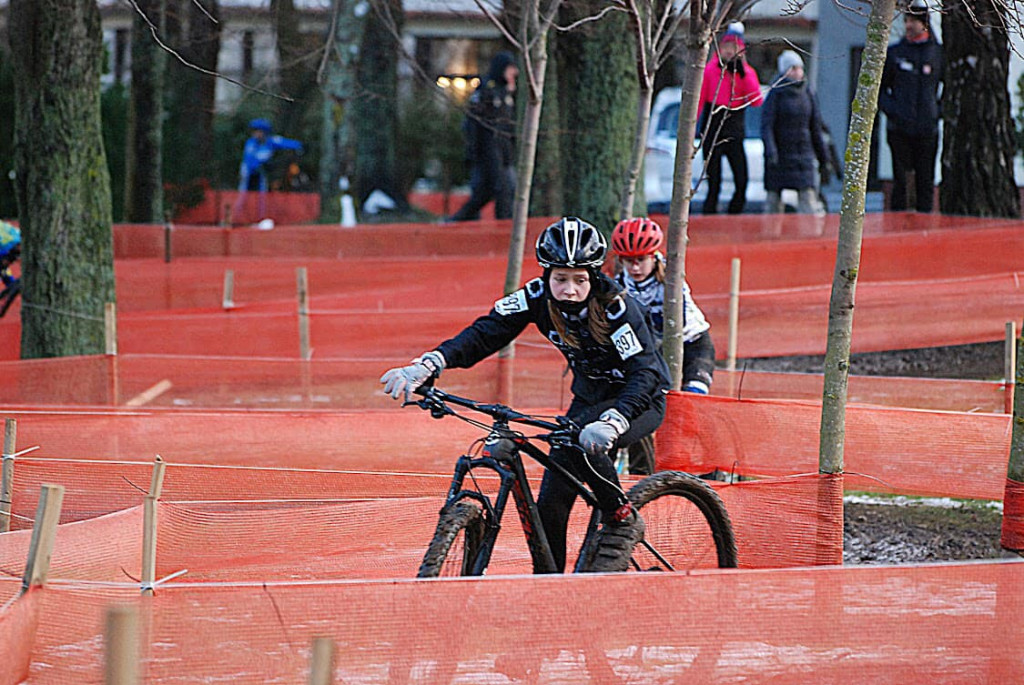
x=791 y=130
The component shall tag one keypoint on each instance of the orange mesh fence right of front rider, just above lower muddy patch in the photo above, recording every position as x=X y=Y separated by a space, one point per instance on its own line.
x=886 y=449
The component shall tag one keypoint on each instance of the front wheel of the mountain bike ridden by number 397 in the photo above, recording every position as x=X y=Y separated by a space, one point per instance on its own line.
x=456 y=544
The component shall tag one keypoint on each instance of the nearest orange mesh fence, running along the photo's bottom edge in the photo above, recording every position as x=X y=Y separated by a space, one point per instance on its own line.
x=945 y=624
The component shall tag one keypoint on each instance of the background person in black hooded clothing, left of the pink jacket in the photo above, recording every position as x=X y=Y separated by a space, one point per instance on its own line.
x=490 y=131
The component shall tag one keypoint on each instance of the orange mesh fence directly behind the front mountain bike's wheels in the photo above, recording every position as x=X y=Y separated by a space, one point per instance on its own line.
x=243 y=524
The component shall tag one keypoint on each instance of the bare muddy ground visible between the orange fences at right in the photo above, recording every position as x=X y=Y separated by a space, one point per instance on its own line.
x=893 y=531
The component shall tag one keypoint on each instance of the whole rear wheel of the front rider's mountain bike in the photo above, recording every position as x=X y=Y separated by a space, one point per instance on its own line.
x=687 y=525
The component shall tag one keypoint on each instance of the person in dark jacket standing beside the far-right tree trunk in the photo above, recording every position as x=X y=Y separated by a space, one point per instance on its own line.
x=910 y=97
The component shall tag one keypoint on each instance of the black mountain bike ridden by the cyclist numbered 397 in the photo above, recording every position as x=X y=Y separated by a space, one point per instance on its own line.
x=688 y=525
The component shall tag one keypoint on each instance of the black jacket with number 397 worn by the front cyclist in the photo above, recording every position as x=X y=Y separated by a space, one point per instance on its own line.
x=630 y=370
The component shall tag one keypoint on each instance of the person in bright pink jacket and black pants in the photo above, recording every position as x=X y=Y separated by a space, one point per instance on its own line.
x=731 y=85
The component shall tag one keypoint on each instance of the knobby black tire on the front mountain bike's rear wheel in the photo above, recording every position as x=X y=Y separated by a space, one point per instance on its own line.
x=701 y=495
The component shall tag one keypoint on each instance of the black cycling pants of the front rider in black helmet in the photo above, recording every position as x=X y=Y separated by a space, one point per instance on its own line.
x=558 y=497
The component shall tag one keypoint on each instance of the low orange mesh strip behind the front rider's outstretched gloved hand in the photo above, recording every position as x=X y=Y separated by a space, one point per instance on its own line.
x=535 y=378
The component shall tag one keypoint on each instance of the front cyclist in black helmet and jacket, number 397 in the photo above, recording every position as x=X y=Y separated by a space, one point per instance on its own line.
x=619 y=377
